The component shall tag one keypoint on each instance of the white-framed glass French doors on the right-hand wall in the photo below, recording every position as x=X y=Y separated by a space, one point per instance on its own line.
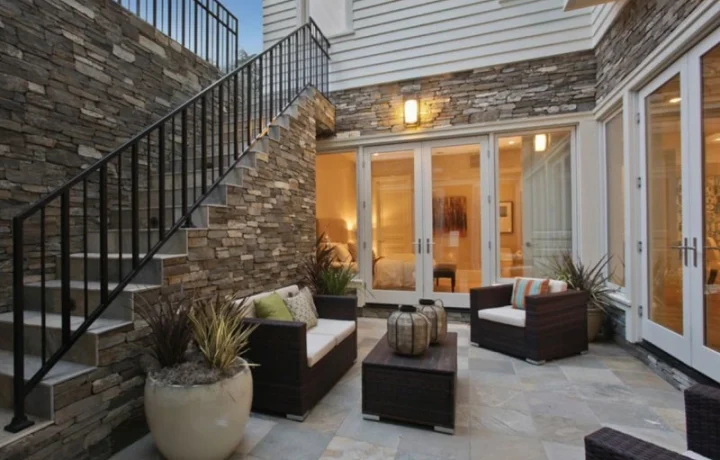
x=680 y=144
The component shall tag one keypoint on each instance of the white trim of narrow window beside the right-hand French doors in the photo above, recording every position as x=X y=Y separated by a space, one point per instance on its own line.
x=622 y=295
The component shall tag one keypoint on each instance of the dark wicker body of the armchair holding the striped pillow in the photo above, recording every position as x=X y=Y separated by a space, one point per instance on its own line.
x=555 y=324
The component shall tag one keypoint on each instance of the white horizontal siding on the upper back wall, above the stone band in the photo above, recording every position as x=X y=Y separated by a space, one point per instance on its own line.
x=402 y=39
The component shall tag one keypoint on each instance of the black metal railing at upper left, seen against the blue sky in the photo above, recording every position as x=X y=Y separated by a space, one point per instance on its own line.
x=205 y=27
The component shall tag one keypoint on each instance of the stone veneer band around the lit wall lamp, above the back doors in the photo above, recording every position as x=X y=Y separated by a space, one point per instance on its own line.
x=554 y=85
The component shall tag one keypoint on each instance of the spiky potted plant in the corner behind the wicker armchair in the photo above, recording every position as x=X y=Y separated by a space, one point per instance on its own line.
x=593 y=280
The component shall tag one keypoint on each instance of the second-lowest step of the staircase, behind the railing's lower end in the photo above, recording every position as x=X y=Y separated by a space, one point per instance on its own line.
x=41 y=400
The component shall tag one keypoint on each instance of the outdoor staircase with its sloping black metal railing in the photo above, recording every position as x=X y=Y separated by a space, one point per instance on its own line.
x=82 y=254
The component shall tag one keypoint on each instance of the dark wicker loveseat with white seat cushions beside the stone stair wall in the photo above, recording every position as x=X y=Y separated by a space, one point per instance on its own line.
x=296 y=367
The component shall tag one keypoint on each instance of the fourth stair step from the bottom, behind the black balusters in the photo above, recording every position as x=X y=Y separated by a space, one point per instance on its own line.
x=120 y=308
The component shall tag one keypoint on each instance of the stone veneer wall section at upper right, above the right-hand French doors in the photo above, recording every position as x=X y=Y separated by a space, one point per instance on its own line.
x=639 y=28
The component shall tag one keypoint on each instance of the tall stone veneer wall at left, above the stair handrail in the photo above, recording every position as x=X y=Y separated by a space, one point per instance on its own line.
x=77 y=79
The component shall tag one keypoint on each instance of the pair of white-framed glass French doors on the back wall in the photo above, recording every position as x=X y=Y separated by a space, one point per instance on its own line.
x=422 y=209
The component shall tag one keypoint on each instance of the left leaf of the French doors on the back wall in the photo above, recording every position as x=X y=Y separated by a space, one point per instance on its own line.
x=394 y=216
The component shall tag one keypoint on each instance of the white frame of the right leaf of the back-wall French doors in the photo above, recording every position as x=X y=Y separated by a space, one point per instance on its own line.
x=455 y=299
